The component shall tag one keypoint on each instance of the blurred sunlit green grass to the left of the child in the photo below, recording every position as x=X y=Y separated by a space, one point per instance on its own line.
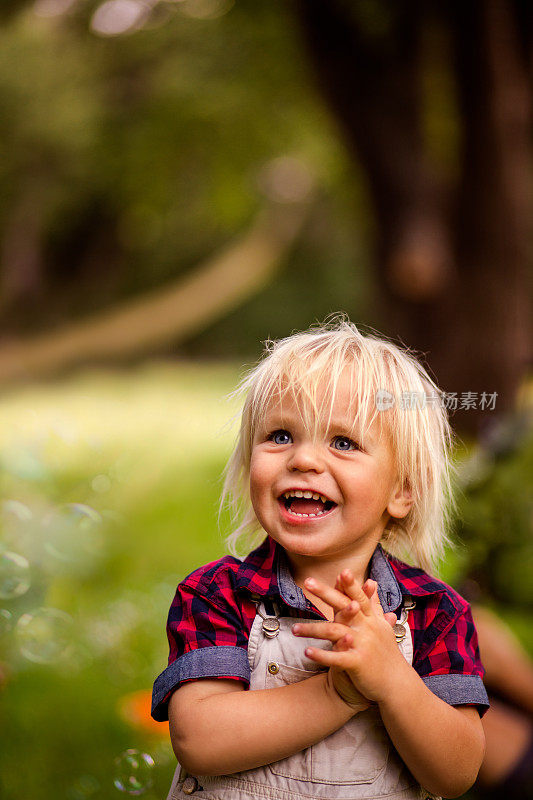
x=154 y=440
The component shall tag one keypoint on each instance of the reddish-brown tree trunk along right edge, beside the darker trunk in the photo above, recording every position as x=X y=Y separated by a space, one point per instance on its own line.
x=493 y=211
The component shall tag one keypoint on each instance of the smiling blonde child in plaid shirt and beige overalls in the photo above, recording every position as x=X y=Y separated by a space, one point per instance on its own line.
x=364 y=671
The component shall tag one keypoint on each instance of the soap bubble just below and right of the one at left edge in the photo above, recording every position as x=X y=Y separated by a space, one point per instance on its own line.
x=44 y=635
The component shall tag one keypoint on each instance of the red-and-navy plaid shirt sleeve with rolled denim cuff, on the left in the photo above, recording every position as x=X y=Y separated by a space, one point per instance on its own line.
x=206 y=639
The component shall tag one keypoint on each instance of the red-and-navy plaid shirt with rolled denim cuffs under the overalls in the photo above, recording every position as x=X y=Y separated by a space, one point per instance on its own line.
x=211 y=616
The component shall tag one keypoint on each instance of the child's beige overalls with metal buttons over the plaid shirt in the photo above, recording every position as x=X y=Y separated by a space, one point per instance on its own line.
x=356 y=762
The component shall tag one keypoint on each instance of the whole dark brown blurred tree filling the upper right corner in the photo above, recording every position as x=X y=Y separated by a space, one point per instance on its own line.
x=452 y=205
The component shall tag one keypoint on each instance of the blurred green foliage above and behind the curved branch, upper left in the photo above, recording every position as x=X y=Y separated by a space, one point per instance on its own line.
x=131 y=159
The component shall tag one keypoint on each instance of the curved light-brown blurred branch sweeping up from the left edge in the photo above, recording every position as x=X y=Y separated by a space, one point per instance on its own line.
x=174 y=312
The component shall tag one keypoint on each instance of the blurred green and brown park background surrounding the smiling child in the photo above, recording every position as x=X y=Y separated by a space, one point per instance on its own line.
x=182 y=180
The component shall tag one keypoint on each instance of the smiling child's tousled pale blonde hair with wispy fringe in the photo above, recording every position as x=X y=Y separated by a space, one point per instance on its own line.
x=309 y=366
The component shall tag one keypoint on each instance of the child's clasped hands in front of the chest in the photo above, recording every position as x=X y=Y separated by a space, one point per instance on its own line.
x=365 y=658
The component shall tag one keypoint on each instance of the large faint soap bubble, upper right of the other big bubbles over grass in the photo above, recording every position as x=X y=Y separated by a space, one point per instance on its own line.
x=73 y=534
